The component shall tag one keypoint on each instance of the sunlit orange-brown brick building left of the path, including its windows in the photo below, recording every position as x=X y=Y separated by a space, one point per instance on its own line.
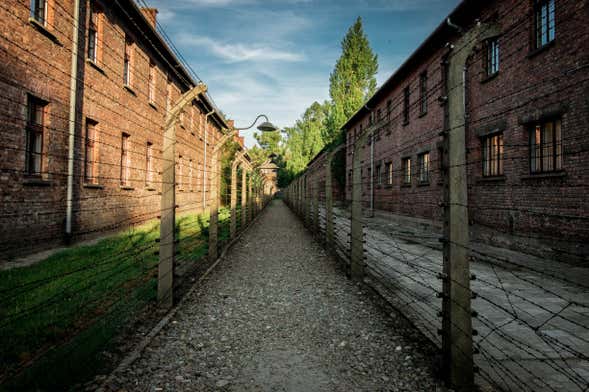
x=127 y=78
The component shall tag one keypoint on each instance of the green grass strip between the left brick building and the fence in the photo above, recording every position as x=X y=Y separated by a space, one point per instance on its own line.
x=59 y=314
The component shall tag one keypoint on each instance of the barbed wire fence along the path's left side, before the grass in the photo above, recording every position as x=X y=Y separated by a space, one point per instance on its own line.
x=58 y=315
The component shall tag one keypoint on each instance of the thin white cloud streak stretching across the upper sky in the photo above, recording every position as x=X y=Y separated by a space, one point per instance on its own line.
x=234 y=53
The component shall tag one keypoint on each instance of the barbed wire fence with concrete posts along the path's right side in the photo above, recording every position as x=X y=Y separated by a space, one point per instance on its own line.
x=502 y=319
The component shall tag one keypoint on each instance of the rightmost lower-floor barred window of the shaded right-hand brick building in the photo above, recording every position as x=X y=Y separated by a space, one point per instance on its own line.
x=546 y=147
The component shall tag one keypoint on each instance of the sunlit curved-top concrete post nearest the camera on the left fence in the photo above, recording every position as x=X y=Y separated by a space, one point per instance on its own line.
x=167 y=251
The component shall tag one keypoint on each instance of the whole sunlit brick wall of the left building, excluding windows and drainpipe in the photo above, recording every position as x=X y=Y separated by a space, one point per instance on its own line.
x=38 y=62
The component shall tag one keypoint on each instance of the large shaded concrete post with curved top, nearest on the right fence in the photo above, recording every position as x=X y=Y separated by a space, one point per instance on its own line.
x=457 y=343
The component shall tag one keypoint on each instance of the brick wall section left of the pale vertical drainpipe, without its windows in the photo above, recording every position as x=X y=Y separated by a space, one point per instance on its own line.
x=33 y=60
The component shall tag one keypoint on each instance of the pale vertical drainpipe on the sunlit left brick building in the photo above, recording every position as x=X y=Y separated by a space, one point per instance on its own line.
x=72 y=122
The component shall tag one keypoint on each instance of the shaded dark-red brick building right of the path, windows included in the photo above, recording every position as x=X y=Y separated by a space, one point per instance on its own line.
x=527 y=112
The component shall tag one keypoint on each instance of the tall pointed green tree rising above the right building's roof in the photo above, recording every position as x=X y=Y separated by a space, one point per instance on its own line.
x=352 y=81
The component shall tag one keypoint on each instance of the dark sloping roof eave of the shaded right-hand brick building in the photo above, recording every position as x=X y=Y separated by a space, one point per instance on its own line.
x=461 y=15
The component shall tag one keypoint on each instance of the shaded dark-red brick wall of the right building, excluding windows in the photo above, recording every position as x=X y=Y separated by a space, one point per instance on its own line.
x=533 y=209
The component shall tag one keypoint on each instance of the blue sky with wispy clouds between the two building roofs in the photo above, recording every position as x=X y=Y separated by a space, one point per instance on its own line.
x=275 y=56
